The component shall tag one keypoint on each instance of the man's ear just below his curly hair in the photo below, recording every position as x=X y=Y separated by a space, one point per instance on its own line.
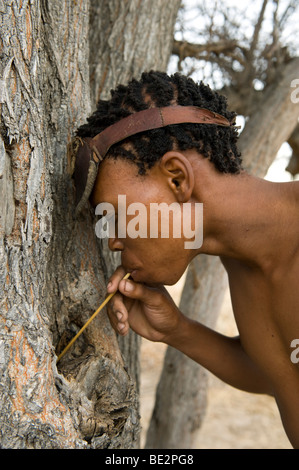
x=179 y=173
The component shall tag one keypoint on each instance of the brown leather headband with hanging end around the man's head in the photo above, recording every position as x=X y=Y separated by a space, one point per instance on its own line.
x=89 y=152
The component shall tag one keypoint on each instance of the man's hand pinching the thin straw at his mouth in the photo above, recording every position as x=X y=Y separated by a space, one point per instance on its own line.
x=149 y=311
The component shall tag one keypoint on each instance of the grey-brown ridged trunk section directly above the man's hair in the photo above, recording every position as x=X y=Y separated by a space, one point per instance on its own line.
x=146 y=27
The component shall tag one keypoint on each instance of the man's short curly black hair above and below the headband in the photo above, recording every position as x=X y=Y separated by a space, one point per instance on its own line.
x=157 y=89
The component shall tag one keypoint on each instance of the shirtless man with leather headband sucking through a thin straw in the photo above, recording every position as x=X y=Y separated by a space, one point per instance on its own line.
x=250 y=223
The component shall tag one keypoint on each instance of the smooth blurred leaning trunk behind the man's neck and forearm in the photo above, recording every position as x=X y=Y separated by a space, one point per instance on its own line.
x=181 y=394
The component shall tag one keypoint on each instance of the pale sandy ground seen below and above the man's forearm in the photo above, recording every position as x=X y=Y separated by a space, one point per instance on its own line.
x=234 y=419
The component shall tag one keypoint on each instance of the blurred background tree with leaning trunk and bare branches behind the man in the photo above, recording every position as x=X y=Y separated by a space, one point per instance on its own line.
x=250 y=56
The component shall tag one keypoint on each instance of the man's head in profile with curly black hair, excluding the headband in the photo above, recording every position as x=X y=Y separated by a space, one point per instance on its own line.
x=159 y=166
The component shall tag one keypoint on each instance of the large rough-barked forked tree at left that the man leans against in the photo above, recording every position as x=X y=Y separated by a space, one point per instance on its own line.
x=51 y=272
